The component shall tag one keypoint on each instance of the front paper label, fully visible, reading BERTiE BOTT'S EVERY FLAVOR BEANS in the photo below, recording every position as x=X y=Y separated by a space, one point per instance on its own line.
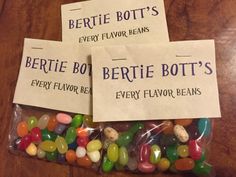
x=155 y=81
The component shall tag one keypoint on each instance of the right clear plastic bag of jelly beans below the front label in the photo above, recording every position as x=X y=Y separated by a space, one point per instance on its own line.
x=177 y=146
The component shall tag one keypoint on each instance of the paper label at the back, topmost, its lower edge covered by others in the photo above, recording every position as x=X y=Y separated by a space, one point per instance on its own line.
x=106 y=22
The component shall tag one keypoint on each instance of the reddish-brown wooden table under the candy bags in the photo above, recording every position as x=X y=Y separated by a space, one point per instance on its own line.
x=187 y=20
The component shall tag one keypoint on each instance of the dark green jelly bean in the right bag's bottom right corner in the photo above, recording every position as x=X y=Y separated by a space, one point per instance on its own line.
x=202 y=168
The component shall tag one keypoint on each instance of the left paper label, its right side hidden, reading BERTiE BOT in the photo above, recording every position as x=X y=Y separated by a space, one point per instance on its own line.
x=54 y=75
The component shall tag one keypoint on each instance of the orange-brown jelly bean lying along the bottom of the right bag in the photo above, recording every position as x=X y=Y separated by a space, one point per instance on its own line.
x=184 y=164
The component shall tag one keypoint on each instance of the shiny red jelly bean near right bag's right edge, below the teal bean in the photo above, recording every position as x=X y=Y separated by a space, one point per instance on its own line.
x=195 y=150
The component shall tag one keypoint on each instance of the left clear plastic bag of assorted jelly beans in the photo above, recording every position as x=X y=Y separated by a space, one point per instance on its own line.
x=55 y=136
